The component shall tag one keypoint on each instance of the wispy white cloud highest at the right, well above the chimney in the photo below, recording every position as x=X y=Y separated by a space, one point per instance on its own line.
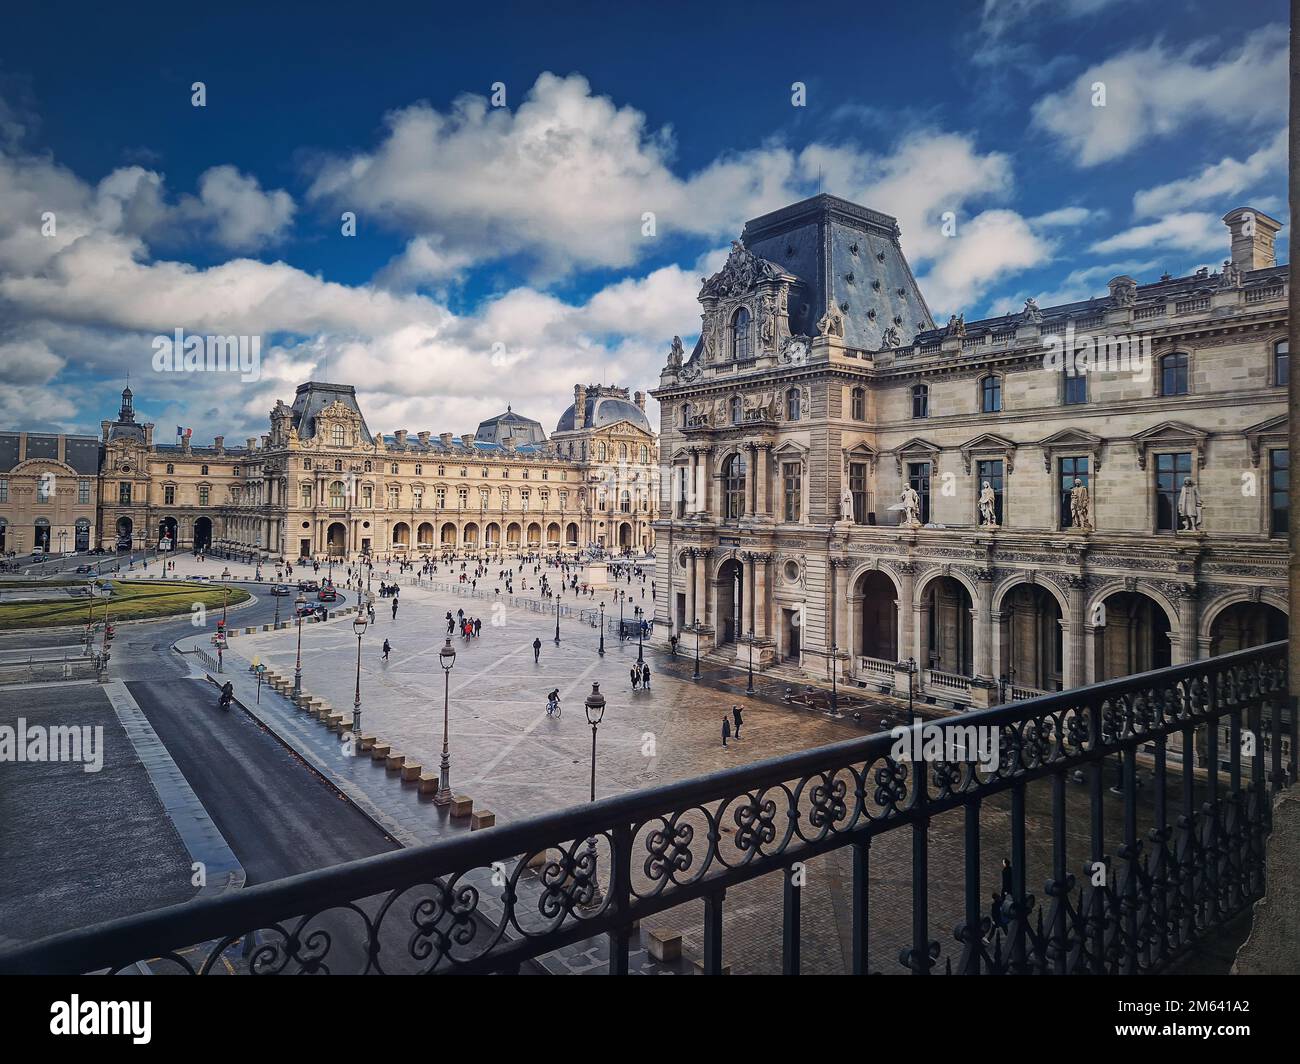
x=1154 y=93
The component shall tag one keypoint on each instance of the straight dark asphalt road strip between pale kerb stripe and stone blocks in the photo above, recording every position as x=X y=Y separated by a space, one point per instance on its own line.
x=278 y=816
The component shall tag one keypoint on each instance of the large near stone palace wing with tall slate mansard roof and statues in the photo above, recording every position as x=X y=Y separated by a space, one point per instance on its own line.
x=1016 y=505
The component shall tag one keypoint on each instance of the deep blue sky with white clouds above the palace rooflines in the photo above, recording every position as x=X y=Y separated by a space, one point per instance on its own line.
x=501 y=159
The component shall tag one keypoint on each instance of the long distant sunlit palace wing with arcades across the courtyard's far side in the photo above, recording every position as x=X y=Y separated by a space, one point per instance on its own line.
x=320 y=483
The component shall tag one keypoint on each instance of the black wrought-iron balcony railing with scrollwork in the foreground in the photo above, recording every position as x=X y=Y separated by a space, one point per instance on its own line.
x=492 y=901
